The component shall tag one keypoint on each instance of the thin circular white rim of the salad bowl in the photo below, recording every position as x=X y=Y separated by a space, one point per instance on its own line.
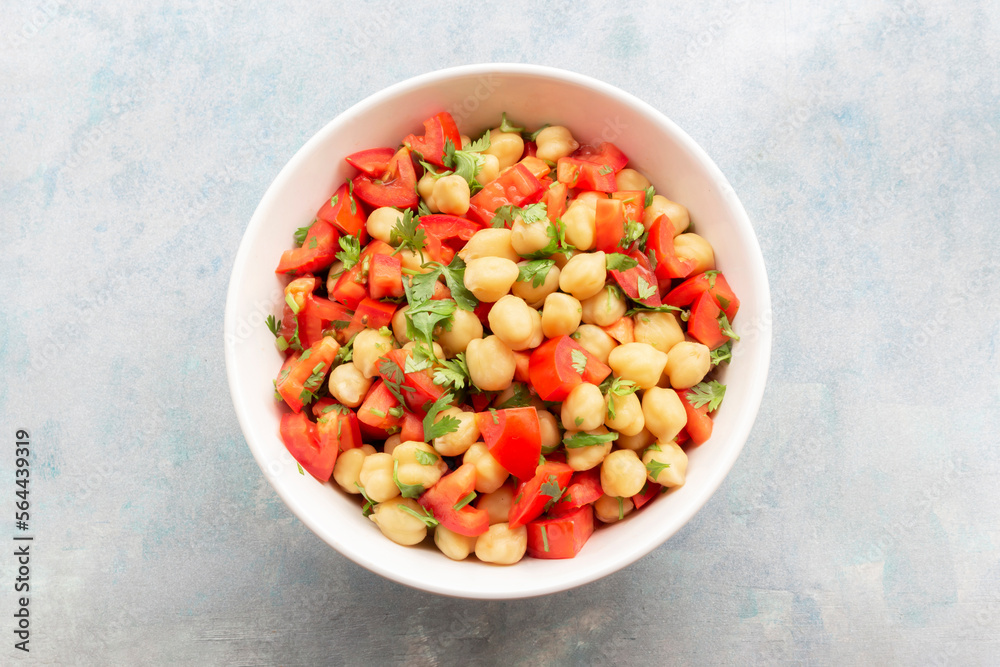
x=751 y=403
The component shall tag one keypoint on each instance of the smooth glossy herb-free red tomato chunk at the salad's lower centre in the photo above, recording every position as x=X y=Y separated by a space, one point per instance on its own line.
x=513 y=437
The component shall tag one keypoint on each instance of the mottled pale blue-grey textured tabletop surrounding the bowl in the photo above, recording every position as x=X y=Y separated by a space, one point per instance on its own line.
x=860 y=523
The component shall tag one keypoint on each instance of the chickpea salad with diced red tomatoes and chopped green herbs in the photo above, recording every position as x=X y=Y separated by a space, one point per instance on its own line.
x=499 y=340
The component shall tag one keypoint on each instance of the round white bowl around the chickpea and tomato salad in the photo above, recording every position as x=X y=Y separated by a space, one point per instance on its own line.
x=476 y=95
